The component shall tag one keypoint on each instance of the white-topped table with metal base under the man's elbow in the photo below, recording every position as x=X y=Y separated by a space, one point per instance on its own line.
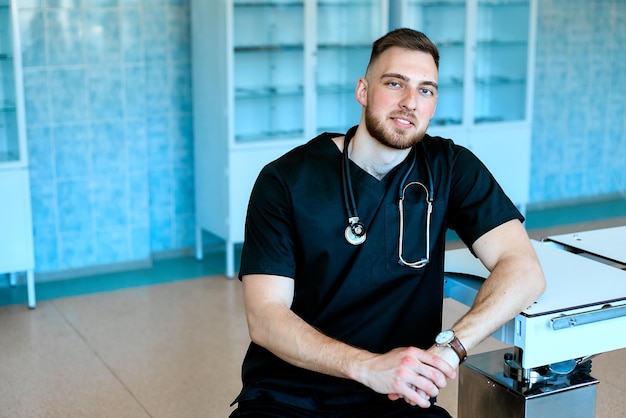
x=581 y=314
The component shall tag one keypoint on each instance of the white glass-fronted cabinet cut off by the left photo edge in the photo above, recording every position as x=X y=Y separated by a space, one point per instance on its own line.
x=16 y=240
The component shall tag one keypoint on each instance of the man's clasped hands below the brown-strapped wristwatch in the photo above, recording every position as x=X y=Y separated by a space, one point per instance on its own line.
x=410 y=373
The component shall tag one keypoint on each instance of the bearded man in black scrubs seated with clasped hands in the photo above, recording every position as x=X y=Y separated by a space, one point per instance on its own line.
x=343 y=314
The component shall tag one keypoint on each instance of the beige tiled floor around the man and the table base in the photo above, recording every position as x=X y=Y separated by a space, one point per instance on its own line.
x=171 y=350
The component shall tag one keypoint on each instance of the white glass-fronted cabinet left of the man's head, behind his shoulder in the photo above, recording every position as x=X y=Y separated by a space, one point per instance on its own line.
x=268 y=76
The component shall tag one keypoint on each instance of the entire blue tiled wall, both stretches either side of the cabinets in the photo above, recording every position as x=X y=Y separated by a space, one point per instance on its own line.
x=108 y=103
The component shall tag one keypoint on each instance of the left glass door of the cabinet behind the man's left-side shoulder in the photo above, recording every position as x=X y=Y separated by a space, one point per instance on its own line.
x=268 y=70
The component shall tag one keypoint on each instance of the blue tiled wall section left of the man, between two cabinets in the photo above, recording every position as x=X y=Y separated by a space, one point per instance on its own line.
x=108 y=107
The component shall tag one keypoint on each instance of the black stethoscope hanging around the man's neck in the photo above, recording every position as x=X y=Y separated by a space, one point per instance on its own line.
x=356 y=233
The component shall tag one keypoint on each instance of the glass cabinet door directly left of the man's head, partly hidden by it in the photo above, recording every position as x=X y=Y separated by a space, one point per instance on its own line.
x=345 y=32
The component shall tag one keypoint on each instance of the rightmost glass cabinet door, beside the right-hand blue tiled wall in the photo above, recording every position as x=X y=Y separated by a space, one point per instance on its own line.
x=502 y=34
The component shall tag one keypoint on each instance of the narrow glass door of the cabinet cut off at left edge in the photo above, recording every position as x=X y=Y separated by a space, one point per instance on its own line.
x=9 y=140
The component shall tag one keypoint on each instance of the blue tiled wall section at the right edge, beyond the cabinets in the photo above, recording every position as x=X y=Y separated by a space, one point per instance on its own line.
x=579 y=125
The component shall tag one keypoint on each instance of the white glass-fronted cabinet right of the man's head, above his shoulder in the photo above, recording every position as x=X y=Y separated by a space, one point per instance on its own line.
x=486 y=75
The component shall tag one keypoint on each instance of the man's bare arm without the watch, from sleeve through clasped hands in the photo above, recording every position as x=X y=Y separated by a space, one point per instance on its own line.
x=407 y=372
